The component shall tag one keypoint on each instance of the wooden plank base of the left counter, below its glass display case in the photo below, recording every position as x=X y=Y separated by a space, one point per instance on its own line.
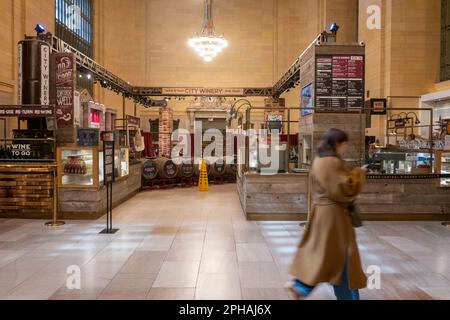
x=91 y=203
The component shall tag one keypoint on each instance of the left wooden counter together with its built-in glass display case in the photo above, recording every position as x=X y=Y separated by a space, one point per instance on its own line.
x=82 y=194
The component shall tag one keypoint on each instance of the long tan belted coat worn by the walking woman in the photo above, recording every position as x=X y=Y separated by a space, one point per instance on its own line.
x=329 y=241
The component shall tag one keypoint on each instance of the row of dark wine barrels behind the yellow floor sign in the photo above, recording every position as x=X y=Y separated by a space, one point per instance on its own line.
x=164 y=173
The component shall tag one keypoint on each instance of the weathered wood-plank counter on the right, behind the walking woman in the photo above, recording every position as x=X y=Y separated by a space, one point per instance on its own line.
x=385 y=197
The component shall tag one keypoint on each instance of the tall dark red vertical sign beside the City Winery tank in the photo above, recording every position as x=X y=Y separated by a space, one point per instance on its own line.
x=64 y=69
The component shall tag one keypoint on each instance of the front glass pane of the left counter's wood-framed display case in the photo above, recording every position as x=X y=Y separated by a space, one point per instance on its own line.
x=77 y=167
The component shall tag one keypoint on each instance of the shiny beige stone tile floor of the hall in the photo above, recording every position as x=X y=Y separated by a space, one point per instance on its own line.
x=182 y=244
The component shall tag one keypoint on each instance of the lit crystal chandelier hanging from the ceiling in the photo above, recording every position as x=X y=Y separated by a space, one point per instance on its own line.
x=207 y=43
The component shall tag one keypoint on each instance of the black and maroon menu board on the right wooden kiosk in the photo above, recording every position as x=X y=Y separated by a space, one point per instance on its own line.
x=339 y=83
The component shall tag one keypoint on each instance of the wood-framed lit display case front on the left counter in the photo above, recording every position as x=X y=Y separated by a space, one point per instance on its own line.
x=78 y=167
